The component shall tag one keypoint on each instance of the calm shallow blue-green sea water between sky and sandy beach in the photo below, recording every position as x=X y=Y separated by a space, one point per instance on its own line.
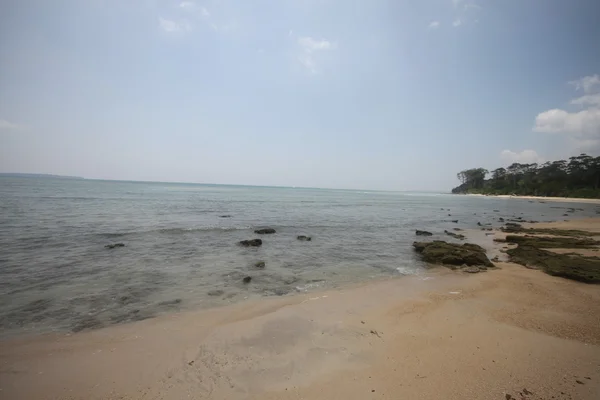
x=57 y=275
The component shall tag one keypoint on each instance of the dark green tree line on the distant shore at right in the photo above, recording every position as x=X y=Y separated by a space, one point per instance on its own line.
x=577 y=177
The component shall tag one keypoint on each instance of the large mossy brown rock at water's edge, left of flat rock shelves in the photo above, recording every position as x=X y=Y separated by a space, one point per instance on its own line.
x=454 y=255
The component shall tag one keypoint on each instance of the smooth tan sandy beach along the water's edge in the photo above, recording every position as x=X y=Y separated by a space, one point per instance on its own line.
x=509 y=333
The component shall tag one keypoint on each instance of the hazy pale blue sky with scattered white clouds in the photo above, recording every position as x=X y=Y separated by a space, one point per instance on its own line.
x=360 y=94
